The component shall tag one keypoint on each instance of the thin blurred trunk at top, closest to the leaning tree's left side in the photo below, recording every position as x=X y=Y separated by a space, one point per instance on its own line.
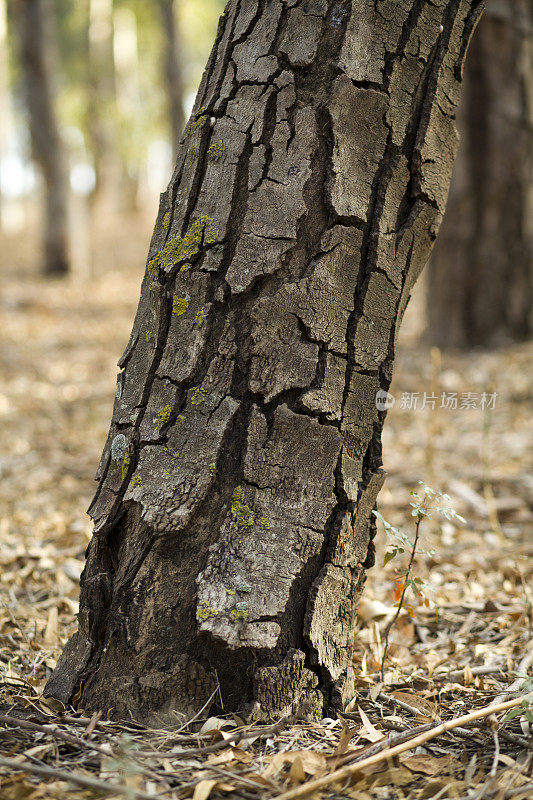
x=172 y=70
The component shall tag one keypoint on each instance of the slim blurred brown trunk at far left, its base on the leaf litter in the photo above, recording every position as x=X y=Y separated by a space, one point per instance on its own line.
x=46 y=142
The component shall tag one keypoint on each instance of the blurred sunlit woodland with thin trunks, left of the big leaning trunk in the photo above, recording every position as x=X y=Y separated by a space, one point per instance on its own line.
x=93 y=96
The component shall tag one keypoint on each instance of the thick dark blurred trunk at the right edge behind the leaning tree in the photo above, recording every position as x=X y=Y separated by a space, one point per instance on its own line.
x=481 y=274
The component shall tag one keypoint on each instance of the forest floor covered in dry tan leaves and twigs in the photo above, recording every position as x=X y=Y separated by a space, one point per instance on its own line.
x=461 y=652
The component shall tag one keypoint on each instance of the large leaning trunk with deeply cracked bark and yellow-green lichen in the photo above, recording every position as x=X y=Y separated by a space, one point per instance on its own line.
x=233 y=514
